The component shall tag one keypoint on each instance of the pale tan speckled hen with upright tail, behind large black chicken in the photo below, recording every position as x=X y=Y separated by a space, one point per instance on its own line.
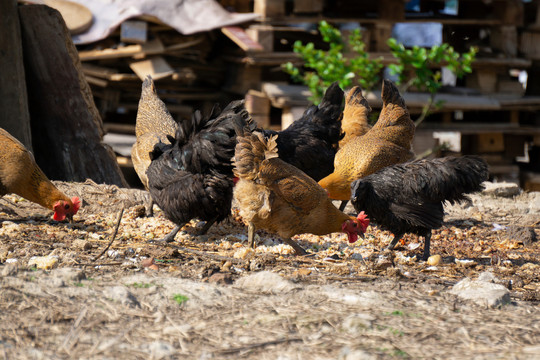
x=153 y=124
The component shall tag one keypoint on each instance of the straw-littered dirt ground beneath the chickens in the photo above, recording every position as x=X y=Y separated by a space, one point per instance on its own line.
x=65 y=294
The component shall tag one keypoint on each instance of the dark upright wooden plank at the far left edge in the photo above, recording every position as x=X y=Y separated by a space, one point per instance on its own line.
x=15 y=117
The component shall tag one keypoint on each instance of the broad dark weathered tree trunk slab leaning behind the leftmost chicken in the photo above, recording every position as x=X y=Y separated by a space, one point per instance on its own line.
x=66 y=127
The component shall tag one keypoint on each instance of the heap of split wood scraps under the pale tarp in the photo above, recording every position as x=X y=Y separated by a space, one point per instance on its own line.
x=186 y=75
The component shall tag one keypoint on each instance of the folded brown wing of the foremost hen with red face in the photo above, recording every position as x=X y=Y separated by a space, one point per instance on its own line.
x=291 y=185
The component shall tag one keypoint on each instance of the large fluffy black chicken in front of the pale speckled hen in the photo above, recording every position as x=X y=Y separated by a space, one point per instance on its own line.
x=192 y=176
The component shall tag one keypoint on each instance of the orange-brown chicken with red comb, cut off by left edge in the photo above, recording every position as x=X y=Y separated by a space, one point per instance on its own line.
x=19 y=174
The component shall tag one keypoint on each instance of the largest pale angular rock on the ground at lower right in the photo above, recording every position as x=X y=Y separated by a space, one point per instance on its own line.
x=483 y=291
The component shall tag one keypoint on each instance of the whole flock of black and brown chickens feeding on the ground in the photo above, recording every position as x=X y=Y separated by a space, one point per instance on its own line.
x=283 y=182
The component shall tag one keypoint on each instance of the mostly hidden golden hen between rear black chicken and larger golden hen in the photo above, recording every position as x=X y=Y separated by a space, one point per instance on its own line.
x=355 y=116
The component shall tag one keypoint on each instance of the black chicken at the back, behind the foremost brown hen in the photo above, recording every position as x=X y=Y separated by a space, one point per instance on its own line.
x=310 y=143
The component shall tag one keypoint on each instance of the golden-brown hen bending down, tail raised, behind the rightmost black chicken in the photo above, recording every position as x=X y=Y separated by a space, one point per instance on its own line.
x=388 y=142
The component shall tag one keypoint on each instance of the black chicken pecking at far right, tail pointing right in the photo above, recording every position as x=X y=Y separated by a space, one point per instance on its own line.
x=409 y=197
